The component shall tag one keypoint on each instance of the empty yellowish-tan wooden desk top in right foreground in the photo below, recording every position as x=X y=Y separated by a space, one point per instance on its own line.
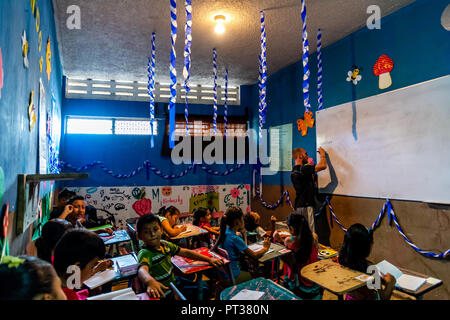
x=333 y=277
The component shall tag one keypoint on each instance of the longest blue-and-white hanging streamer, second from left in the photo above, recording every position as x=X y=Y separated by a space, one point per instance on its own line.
x=173 y=73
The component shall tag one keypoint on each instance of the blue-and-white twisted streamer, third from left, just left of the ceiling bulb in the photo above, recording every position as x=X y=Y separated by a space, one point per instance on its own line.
x=187 y=59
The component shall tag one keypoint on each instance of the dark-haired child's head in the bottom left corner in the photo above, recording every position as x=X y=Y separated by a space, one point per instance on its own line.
x=28 y=278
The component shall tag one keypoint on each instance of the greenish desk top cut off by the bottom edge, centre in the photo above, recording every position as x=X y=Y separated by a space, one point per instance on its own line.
x=272 y=290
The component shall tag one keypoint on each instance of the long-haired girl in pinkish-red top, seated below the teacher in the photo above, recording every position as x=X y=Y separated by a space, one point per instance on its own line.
x=305 y=251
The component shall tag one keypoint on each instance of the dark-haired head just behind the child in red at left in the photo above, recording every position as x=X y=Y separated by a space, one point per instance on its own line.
x=52 y=231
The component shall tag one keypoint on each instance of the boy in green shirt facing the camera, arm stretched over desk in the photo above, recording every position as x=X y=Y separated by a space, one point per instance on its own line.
x=155 y=266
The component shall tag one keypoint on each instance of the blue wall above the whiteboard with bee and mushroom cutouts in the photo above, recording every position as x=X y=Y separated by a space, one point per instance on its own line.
x=412 y=36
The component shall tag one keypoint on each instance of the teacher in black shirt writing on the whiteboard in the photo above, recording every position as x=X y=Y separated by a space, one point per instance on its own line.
x=302 y=177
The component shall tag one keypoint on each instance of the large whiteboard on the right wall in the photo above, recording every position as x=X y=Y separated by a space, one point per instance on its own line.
x=394 y=145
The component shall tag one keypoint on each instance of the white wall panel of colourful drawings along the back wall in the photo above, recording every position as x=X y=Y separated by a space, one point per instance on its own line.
x=129 y=202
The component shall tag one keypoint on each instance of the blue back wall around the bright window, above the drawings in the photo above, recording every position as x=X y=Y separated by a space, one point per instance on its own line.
x=123 y=154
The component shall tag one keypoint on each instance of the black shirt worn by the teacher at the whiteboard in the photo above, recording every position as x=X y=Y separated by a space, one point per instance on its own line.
x=302 y=177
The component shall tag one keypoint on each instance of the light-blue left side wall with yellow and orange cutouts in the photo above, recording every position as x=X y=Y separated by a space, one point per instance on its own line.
x=19 y=146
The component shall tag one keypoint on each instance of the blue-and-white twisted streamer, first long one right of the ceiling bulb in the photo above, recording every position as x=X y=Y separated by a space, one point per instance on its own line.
x=263 y=76
